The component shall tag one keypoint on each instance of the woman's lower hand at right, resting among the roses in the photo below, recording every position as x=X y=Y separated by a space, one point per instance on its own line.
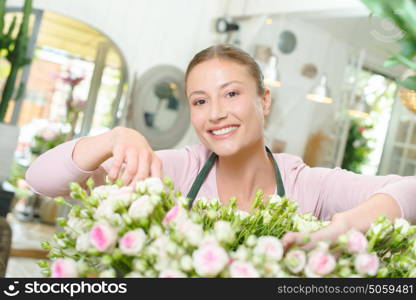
x=338 y=226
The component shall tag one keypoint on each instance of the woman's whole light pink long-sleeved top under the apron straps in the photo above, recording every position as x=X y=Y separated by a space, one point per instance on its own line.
x=322 y=191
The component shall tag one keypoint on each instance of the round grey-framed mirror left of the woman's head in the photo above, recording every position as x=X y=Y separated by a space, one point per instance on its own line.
x=159 y=108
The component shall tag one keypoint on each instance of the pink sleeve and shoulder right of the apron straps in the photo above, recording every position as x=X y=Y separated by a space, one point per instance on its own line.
x=325 y=191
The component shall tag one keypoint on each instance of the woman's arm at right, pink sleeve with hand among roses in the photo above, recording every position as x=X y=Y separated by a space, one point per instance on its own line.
x=349 y=200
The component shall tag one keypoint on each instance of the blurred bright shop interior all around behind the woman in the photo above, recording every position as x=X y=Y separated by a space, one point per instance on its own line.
x=341 y=72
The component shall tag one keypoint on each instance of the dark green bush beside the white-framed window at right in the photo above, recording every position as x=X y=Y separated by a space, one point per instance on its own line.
x=357 y=149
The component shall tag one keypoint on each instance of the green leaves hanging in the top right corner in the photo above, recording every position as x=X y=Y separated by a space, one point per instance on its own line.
x=403 y=14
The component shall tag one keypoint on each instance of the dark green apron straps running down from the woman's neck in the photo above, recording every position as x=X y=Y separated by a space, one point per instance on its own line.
x=202 y=175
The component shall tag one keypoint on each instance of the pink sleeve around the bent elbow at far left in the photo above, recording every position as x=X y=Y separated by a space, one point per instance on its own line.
x=51 y=173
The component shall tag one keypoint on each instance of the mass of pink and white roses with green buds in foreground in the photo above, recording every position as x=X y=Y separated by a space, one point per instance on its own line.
x=149 y=231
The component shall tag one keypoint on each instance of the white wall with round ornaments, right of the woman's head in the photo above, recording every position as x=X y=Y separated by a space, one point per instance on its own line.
x=294 y=117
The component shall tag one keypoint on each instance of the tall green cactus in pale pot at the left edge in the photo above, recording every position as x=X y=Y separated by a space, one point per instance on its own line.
x=14 y=50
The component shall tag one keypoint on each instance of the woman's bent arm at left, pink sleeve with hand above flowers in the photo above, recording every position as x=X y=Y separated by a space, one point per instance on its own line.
x=77 y=160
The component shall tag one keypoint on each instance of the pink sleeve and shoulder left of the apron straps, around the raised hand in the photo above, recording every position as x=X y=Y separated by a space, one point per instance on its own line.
x=52 y=172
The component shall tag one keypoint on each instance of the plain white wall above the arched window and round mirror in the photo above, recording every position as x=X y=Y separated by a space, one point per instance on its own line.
x=148 y=32
